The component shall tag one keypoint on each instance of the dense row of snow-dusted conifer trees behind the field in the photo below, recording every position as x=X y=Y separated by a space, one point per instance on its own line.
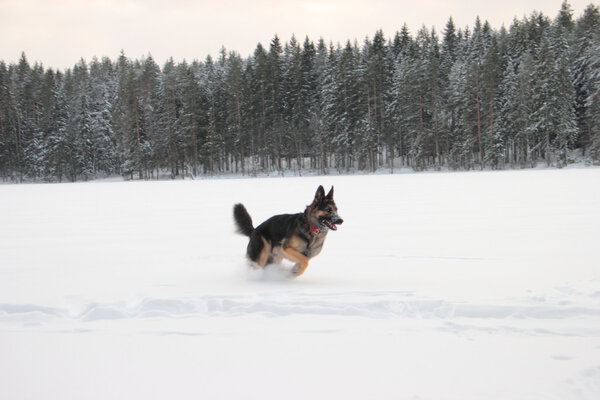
x=473 y=98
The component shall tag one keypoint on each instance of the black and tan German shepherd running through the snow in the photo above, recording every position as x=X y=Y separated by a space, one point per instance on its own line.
x=296 y=237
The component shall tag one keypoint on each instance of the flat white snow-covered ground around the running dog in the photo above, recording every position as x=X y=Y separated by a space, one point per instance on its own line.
x=479 y=285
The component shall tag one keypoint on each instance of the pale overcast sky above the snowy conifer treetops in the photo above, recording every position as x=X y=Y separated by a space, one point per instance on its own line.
x=60 y=32
